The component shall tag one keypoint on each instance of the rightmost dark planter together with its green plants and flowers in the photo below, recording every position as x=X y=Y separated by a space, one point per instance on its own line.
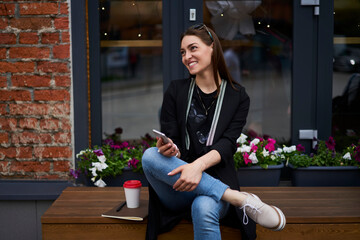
x=327 y=167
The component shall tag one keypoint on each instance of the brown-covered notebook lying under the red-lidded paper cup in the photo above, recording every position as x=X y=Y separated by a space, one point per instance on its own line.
x=120 y=211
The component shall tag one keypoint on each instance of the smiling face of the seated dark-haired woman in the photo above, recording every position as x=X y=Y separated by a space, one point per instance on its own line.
x=196 y=55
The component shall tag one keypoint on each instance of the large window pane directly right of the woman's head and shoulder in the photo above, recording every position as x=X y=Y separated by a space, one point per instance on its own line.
x=256 y=37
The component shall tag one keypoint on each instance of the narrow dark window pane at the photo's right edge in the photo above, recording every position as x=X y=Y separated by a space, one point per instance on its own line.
x=346 y=73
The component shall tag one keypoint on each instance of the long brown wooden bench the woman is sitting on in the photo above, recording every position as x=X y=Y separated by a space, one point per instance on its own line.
x=311 y=212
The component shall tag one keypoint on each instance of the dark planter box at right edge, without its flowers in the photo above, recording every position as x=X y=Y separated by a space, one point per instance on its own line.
x=325 y=176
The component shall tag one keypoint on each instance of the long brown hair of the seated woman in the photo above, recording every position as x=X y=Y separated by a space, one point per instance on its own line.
x=208 y=36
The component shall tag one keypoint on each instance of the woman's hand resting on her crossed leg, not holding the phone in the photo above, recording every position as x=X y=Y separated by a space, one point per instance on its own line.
x=190 y=176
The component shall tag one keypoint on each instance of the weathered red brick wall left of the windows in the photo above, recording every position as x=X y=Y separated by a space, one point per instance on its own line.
x=35 y=95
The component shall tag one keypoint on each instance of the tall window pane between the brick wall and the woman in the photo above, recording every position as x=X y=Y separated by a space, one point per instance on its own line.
x=131 y=66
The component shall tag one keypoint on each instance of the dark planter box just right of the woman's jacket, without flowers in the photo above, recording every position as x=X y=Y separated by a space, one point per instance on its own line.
x=256 y=176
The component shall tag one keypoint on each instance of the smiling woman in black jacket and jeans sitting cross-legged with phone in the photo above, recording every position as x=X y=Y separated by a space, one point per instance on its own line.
x=194 y=174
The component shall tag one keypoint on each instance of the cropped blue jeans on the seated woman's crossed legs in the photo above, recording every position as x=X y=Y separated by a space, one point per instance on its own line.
x=207 y=208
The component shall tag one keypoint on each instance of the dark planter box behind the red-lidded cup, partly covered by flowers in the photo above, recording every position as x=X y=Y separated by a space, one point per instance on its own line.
x=118 y=181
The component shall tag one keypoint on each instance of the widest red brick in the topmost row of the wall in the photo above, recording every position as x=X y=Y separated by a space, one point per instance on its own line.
x=38 y=8
